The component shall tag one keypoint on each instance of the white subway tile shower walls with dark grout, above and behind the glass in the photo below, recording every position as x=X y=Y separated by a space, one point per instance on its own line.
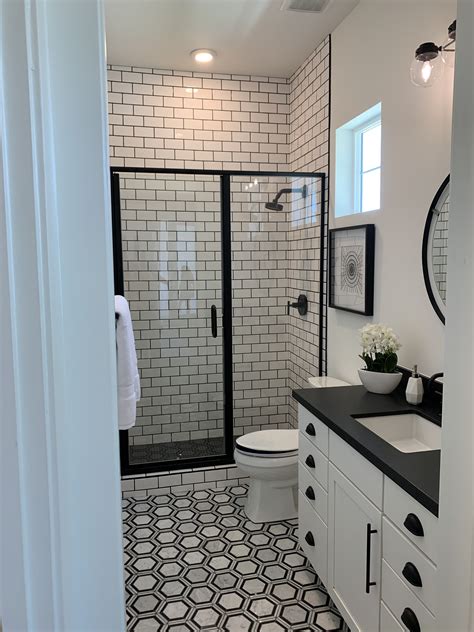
x=171 y=240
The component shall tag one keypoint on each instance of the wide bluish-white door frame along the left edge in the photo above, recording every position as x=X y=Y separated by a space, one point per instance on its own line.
x=62 y=563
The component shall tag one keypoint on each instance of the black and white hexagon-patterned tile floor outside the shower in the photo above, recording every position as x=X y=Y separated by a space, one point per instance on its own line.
x=194 y=561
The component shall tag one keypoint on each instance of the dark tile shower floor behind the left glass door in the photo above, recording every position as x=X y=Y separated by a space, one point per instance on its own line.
x=176 y=450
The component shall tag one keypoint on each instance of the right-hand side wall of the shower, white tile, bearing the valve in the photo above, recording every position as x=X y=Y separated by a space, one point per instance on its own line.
x=309 y=151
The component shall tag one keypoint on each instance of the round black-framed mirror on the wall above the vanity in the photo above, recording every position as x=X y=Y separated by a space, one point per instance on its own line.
x=435 y=249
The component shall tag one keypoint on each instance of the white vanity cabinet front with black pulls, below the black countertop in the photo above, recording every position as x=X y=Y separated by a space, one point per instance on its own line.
x=371 y=543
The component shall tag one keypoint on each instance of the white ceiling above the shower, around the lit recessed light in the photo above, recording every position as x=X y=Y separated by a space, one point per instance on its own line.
x=249 y=36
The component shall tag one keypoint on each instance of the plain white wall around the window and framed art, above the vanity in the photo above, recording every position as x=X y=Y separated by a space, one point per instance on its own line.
x=371 y=55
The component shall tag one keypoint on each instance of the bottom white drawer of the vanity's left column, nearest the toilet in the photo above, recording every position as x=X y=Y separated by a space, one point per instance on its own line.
x=313 y=537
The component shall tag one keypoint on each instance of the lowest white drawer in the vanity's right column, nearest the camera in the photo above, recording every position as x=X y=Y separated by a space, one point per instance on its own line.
x=402 y=602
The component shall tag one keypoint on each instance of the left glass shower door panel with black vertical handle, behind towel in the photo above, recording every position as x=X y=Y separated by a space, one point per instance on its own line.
x=172 y=277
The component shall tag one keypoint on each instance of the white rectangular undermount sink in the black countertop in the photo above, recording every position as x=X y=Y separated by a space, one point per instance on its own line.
x=407 y=432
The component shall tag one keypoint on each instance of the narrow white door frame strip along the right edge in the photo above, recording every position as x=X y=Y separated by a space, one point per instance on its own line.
x=456 y=519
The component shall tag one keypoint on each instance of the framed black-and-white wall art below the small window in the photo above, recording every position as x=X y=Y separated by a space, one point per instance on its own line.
x=351 y=269
